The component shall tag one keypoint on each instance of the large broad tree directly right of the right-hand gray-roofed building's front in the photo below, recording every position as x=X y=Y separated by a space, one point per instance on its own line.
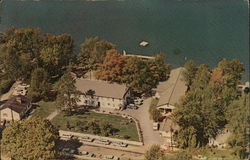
x=200 y=116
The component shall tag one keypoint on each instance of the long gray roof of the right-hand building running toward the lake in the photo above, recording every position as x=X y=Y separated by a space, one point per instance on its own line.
x=173 y=89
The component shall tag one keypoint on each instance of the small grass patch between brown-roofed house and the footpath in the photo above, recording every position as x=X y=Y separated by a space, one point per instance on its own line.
x=43 y=109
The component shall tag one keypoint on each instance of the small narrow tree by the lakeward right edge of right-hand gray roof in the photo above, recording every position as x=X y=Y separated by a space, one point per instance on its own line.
x=189 y=73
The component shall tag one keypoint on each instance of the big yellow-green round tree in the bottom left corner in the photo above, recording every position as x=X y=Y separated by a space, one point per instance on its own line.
x=33 y=138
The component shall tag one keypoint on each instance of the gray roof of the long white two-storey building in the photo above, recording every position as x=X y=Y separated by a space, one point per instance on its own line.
x=101 y=88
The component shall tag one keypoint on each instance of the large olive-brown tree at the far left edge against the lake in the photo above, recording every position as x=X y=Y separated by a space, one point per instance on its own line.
x=23 y=45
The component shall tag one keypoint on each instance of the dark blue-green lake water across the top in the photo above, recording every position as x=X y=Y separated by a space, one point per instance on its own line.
x=203 y=30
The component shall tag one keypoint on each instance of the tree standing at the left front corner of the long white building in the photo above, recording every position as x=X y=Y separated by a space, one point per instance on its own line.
x=67 y=94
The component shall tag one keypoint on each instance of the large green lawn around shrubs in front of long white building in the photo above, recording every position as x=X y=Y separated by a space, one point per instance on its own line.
x=124 y=125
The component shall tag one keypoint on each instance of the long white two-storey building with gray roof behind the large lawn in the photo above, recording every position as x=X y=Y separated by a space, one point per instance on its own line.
x=96 y=93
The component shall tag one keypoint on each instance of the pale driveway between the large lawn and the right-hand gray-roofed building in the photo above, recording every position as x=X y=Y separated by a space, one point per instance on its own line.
x=150 y=136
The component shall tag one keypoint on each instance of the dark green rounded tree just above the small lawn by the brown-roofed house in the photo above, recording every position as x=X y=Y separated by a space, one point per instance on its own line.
x=39 y=85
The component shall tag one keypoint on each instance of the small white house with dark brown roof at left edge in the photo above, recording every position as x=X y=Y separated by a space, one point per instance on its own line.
x=15 y=108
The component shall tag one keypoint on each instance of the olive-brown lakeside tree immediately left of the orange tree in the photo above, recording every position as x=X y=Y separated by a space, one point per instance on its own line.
x=93 y=51
